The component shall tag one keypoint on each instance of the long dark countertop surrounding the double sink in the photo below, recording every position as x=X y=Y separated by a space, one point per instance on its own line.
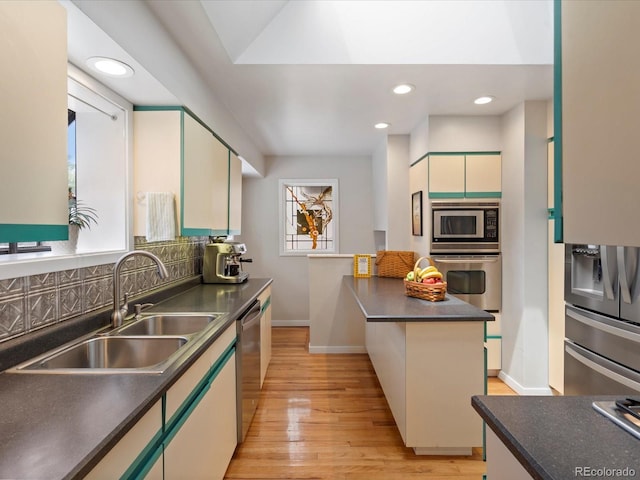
x=60 y=426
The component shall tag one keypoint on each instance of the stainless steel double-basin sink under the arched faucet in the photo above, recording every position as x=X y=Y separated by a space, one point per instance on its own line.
x=146 y=344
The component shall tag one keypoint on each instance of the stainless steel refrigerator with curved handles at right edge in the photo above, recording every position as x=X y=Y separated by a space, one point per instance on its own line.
x=602 y=320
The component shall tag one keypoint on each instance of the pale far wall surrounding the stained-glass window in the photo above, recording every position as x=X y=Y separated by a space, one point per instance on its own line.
x=290 y=288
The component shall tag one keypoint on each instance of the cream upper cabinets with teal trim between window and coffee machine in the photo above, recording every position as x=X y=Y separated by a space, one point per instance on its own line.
x=174 y=152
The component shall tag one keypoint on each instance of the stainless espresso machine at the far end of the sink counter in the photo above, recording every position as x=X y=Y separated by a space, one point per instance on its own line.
x=223 y=263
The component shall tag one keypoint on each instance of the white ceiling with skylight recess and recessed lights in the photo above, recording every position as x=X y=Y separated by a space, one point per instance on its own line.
x=312 y=77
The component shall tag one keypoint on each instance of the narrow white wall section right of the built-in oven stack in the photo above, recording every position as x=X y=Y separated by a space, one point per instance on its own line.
x=524 y=249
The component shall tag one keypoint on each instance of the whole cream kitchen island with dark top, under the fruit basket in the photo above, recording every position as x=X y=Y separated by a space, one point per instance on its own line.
x=429 y=359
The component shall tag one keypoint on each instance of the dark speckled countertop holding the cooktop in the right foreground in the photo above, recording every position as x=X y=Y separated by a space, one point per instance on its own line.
x=552 y=436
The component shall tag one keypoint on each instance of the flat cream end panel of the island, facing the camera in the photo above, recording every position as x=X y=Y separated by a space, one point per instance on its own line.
x=445 y=368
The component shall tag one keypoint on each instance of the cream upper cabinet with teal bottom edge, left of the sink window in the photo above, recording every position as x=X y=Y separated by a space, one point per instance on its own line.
x=33 y=133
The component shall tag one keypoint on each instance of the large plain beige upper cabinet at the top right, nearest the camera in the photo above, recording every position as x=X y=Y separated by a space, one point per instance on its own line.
x=598 y=139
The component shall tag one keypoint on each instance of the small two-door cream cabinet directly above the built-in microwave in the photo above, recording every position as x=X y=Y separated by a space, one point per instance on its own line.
x=460 y=175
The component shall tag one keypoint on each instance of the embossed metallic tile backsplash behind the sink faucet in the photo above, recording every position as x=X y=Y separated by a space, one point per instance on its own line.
x=36 y=301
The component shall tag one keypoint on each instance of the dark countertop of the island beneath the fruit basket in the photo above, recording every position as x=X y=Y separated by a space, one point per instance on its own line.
x=383 y=299
